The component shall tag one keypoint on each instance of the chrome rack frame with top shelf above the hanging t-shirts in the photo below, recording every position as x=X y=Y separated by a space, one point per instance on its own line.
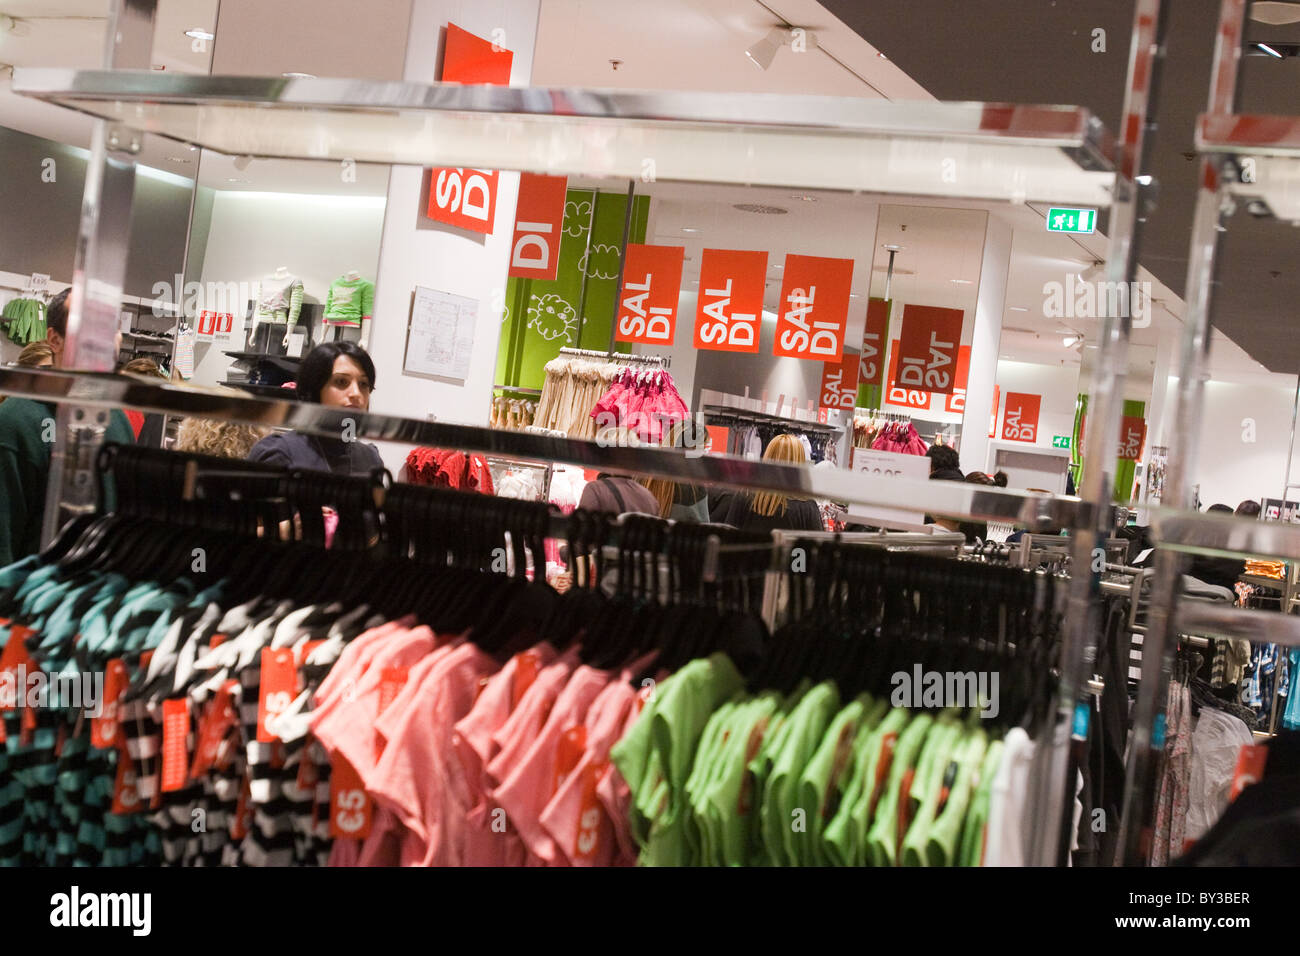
x=1011 y=153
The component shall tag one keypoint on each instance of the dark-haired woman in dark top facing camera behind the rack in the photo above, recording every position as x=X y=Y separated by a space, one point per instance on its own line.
x=335 y=374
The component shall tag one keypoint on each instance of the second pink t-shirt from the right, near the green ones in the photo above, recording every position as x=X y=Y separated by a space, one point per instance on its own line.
x=557 y=751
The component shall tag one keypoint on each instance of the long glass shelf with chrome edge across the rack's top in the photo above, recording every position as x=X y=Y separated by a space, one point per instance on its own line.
x=957 y=150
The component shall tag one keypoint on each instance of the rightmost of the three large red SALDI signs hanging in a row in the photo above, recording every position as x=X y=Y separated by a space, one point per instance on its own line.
x=814 y=308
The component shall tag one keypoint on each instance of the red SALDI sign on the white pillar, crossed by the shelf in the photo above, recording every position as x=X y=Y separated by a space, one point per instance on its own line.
x=467 y=198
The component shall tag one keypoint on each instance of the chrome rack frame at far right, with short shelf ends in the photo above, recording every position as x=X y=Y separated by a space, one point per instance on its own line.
x=1224 y=140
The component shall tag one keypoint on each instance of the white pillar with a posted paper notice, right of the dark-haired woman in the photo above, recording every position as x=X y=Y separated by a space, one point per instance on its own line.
x=418 y=252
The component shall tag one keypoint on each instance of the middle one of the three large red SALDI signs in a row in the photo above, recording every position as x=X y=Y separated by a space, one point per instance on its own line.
x=730 y=306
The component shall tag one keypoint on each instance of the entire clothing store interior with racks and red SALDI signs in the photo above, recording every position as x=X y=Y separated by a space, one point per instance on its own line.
x=551 y=434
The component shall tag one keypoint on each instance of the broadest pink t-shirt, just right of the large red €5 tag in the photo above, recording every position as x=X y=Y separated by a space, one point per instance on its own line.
x=418 y=777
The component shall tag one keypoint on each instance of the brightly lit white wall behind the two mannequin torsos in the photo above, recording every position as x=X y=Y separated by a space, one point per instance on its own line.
x=315 y=237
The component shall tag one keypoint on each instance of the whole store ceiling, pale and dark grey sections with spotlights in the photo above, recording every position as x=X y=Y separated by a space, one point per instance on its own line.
x=859 y=51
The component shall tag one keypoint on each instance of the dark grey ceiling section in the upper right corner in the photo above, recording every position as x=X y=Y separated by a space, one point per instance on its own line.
x=1050 y=44
